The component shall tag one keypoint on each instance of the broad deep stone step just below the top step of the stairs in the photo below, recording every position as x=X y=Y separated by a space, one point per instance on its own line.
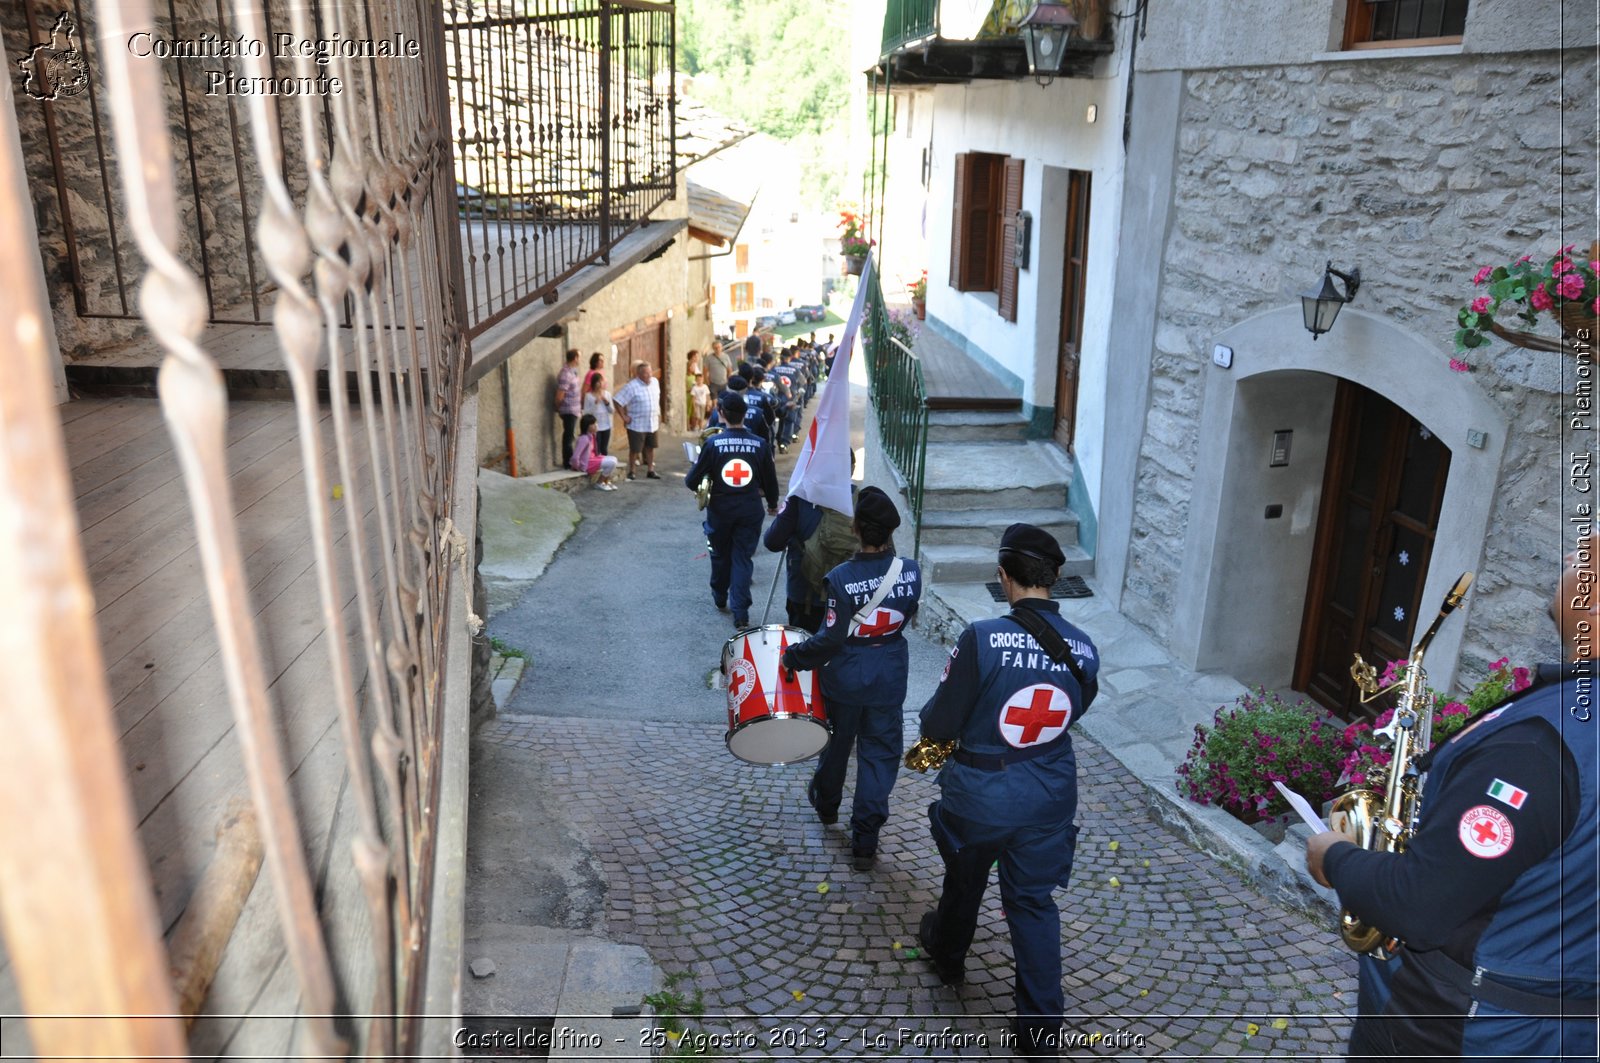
x=1033 y=475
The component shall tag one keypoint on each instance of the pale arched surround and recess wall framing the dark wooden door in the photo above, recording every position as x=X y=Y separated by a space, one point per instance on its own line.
x=1249 y=548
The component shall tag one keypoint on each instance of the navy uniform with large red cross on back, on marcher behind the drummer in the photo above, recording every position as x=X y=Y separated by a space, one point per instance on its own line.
x=1010 y=795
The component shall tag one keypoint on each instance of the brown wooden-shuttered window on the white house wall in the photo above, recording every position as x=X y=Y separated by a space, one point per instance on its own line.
x=983 y=231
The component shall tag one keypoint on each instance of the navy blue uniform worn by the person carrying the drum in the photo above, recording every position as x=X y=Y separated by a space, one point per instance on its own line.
x=863 y=676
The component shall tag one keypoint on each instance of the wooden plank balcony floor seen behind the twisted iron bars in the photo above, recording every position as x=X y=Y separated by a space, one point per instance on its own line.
x=166 y=683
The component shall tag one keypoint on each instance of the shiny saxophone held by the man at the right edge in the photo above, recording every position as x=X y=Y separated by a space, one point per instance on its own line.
x=1385 y=820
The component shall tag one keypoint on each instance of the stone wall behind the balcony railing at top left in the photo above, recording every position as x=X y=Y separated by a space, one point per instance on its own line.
x=217 y=183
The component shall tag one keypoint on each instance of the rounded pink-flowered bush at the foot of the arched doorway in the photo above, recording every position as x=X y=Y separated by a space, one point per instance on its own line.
x=1257 y=742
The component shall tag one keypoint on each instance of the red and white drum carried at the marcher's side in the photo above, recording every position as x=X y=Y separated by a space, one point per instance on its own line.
x=775 y=716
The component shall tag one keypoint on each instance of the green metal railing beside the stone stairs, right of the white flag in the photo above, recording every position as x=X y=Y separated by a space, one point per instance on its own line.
x=900 y=398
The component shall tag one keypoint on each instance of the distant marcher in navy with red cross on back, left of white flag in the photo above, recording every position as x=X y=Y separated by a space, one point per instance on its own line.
x=740 y=468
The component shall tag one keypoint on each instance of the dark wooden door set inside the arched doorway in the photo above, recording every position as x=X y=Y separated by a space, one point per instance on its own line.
x=1375 y=539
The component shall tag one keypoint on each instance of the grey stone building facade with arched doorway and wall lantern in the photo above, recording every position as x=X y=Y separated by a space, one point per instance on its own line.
x=1257 y=158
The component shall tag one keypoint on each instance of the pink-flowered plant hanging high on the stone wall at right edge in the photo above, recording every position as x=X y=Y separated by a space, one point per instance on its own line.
x=1566 y=286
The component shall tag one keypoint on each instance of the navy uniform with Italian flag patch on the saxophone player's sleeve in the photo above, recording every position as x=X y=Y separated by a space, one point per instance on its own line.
x=1495 y=896
